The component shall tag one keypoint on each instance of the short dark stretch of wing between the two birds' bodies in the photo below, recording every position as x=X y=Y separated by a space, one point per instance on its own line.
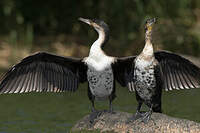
x=124 y=71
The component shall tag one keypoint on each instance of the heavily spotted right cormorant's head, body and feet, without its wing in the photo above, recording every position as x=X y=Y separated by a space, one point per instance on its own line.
x=145 y=77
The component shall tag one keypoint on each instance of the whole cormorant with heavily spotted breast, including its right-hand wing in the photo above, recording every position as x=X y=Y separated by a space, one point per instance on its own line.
x=154 y=71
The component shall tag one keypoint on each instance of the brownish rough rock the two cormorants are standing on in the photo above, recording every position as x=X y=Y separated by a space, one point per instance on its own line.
x=117 y=122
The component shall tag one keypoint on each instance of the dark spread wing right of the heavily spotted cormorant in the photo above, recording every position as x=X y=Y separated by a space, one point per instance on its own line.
x=178 y=72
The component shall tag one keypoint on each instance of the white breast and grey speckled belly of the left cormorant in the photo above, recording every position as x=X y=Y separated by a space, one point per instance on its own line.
x=100 y=76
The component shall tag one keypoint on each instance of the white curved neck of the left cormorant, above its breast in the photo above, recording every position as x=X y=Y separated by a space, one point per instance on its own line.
x=96 y=48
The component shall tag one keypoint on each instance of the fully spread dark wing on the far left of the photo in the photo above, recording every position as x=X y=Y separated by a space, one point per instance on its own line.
x=43 y=72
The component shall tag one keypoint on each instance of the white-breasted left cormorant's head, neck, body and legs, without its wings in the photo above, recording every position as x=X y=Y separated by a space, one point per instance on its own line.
x=100 y=74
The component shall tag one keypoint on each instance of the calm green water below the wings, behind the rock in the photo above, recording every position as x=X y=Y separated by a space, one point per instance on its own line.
x=58 y=112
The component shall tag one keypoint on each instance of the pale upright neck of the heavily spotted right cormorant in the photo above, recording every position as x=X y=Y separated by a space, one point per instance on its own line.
x=148 y=48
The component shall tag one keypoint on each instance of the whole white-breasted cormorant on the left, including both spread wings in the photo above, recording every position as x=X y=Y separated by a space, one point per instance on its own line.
x=44 y=72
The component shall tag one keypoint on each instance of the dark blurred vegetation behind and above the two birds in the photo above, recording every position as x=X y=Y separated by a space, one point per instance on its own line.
x=40 y=23
